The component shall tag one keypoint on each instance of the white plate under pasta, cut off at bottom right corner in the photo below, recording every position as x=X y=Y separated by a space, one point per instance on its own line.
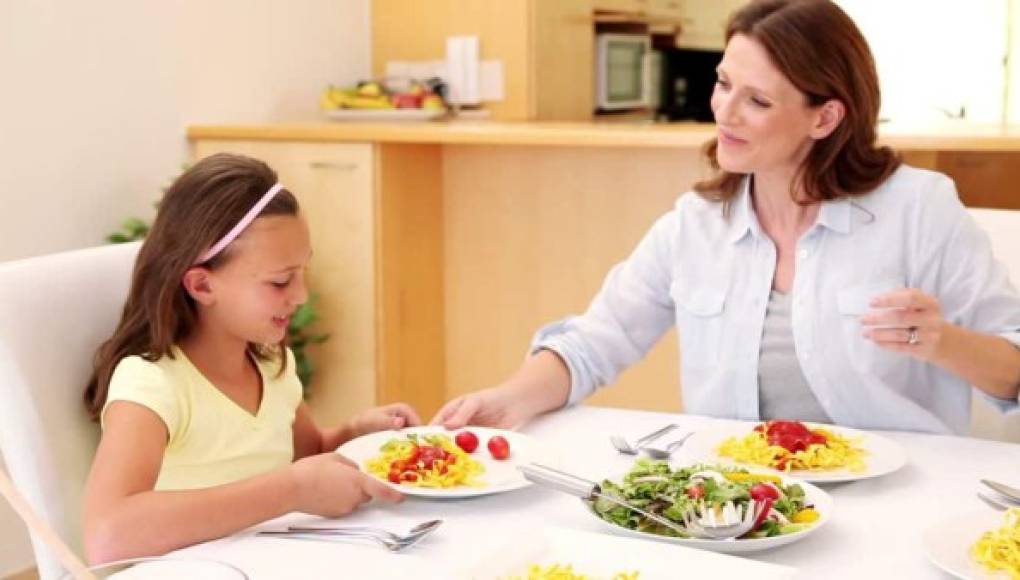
x=948 y=545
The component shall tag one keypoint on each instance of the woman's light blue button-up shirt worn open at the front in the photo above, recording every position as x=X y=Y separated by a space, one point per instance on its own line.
x=711 y=275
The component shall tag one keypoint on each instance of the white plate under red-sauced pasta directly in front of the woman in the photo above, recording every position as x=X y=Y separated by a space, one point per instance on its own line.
x=885 y=456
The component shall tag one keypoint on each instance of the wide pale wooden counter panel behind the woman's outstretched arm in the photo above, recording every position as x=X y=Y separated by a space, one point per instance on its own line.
x=531 y=234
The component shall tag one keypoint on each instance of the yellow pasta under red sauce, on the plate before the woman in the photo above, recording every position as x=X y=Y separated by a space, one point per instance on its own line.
x=838 y=452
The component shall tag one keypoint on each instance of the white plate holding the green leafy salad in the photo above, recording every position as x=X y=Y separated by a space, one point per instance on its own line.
x=822 y=501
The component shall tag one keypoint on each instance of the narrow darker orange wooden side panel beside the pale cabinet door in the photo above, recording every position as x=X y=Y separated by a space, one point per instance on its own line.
x=412 y=347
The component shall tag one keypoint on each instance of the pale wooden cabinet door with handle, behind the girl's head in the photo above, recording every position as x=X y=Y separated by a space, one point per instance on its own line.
x=334 y=184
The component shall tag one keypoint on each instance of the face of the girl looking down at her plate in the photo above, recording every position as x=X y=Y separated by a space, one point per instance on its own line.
x=263 y=284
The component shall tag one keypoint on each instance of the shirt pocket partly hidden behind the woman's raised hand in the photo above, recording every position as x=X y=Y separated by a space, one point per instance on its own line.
x=865 y=356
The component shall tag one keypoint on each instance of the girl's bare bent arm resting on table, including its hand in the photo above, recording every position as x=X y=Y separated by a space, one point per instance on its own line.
x=126 y=518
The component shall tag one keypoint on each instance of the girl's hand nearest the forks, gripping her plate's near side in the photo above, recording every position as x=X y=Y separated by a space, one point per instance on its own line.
x=330 y=486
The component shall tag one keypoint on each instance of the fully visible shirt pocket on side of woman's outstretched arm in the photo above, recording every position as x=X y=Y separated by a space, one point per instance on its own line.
x=700 y=322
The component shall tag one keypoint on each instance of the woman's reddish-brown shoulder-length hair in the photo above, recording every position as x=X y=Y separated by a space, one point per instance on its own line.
x=821 y=50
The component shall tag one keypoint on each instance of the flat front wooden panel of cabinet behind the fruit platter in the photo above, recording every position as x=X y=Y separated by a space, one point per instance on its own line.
x=418 y=31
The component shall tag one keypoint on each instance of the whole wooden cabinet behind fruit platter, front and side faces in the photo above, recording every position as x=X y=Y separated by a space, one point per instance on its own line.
x=546 y=48
